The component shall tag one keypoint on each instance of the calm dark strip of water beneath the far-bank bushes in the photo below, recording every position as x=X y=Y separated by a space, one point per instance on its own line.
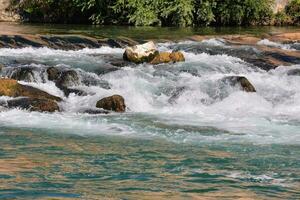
x=137 y=32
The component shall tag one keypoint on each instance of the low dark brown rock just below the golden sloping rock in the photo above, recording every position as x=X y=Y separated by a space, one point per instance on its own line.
x=34 y=104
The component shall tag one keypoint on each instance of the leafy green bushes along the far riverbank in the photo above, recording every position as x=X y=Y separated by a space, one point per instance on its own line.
x=159 y=12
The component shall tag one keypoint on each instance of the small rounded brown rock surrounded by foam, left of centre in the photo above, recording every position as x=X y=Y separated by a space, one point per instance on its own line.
x=115 y=103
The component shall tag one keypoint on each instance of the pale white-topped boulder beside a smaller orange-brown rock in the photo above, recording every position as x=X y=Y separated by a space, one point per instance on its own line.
x=140 y=53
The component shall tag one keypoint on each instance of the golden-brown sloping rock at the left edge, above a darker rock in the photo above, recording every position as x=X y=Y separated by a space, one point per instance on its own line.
x=11 y=88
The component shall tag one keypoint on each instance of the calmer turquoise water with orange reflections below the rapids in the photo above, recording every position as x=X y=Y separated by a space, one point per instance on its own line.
x=37 y=164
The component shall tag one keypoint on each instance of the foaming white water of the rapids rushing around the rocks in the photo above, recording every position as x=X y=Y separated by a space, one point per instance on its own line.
x=272 y=115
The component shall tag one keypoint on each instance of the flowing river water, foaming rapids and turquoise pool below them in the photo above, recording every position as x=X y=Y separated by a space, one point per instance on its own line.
x=185 y=133
